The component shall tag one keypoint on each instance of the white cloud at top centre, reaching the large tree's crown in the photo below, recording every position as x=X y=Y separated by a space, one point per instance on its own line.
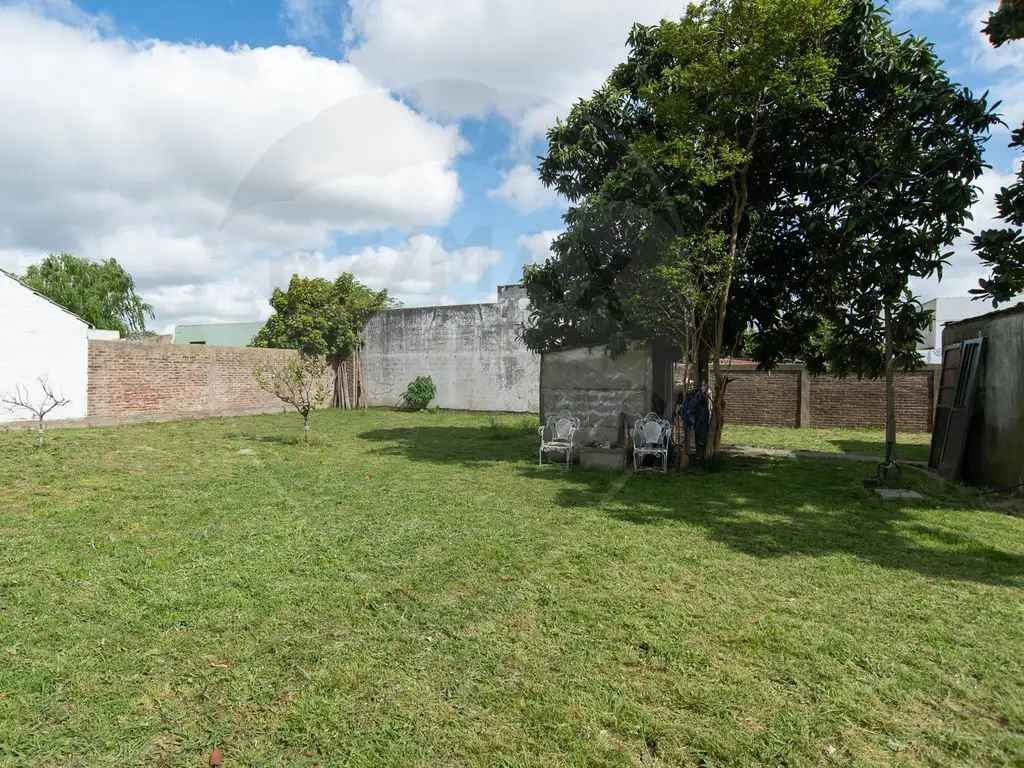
x=529 y=60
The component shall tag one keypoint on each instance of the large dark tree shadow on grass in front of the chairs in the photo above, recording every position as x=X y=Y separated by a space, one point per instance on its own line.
x=770 y=508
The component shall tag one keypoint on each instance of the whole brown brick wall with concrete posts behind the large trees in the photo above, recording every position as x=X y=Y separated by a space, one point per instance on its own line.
x=790 y=398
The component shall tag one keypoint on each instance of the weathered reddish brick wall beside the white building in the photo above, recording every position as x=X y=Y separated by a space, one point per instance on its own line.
x=158 y=382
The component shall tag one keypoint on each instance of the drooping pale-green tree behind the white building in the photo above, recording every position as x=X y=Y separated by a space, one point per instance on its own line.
x=101 y=293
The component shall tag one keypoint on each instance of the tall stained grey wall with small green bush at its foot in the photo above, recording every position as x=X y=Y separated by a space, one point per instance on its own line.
x=472 y=353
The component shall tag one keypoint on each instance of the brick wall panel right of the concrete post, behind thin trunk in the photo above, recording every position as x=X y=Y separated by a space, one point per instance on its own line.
x=854 y=403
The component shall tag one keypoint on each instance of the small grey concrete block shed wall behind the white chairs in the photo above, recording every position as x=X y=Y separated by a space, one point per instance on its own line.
x=598 y=389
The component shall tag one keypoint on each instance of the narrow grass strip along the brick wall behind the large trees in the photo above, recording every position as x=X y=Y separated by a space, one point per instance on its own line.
x=910 y=446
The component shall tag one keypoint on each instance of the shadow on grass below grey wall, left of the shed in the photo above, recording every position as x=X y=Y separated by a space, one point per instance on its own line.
x=454 y=445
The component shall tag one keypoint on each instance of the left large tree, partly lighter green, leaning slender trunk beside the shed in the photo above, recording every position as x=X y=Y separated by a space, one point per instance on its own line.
x=660 y=165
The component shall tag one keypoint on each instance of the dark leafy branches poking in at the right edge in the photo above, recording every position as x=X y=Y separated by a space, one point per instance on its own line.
x=1003 y=250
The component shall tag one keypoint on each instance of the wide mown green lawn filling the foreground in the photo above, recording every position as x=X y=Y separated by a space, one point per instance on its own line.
x=413 y=591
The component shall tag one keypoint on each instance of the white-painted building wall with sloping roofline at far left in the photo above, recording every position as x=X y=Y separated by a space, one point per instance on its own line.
x=37 y=338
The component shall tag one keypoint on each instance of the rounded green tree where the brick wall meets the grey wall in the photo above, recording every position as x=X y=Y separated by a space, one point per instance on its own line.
x=323 y=318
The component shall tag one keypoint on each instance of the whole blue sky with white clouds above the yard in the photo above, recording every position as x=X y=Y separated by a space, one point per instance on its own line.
x=393 y=139
